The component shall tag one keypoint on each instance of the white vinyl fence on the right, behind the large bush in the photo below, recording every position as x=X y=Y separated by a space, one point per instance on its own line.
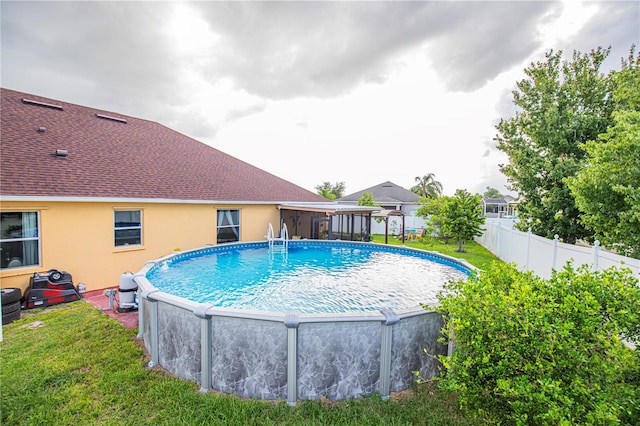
x=541 y=255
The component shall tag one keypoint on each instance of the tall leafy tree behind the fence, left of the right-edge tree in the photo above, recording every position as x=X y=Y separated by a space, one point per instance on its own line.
x=562 y=104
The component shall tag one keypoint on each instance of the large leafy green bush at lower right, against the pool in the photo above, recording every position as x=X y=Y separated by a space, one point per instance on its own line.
x=535 y=351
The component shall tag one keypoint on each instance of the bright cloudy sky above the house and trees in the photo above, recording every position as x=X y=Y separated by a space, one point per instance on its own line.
x=358 y=92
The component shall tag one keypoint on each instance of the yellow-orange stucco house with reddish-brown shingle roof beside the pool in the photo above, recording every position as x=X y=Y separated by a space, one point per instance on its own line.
x=97 y=193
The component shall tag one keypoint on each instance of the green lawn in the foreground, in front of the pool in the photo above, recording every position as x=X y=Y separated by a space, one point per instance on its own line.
x=71 y=364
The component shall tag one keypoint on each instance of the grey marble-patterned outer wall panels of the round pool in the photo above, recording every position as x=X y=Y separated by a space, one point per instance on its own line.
x=337 y=359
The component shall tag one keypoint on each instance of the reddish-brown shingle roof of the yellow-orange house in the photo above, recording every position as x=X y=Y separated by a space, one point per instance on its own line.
x=109 y=158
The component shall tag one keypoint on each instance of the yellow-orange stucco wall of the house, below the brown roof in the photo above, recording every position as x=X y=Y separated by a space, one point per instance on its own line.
x=79 y=237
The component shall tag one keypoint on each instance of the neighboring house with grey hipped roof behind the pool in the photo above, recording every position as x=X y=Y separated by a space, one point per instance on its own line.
x=390 y=197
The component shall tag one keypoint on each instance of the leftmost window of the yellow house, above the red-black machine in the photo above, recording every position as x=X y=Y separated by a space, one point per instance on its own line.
x=20 y=239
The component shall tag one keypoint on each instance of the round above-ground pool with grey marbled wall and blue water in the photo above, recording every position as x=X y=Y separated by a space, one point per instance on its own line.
x=320 y=319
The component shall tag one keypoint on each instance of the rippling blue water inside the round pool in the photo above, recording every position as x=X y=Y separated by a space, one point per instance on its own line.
x=309 y=278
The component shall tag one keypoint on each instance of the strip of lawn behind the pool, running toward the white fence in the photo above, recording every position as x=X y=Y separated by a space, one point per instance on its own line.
x=474 y=253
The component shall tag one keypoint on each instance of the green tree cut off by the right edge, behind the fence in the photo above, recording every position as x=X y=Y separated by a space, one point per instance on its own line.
x=607 y=189
